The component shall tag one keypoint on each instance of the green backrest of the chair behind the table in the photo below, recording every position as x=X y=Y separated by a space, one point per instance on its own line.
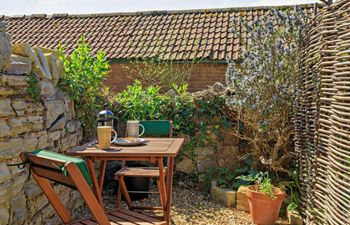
x=157 y=128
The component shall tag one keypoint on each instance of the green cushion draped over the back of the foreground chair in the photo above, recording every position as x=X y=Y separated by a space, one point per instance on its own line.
x=57 y=156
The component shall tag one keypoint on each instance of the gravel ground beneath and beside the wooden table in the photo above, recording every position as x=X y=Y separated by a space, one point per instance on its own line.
x=191 y=207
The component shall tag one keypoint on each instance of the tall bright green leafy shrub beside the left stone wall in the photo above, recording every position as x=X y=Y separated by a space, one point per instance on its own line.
x=82 y=80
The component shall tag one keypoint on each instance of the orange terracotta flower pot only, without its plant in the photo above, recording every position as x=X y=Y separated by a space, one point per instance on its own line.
x=263 y=209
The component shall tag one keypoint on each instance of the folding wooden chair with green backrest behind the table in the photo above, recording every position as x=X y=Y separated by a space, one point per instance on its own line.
x=153 y=128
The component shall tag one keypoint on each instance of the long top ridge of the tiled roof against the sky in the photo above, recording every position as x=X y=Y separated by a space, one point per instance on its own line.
x=158 y=12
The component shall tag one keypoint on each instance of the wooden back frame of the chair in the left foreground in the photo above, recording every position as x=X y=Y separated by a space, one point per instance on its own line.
x=64 y=171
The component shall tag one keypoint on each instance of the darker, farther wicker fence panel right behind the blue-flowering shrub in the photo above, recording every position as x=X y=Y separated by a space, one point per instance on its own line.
x=307 y=112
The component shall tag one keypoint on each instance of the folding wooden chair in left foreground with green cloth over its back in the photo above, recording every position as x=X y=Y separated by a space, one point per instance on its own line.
x=46 y=166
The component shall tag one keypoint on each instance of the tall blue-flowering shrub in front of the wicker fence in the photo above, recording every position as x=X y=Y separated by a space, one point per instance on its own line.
x=264 y=78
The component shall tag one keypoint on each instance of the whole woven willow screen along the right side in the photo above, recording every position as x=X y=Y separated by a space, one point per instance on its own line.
x=323 y=117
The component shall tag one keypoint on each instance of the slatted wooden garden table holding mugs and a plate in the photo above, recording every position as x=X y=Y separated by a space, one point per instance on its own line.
x=155 y=150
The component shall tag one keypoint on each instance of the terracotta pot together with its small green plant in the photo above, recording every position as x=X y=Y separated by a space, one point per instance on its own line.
x=265 y=201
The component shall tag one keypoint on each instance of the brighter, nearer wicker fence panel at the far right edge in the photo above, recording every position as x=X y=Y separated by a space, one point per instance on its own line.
x=338 y=205
